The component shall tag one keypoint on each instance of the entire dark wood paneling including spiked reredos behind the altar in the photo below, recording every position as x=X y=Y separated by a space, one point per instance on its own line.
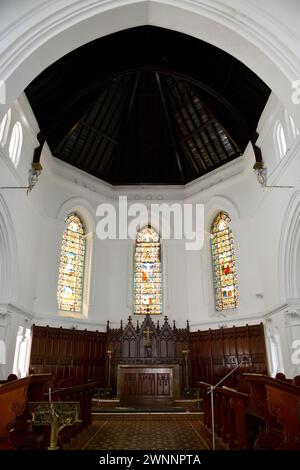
x=81 y=355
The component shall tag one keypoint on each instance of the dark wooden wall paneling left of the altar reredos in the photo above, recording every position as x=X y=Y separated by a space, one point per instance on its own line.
x=78 y=355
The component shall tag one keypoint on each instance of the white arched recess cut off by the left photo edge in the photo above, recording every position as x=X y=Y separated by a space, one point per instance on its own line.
x=9 y=275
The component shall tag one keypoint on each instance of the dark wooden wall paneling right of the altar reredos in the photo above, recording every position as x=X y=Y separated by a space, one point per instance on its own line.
x=214 y=353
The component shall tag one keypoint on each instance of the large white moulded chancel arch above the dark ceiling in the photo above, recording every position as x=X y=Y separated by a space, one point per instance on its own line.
x=35 y=39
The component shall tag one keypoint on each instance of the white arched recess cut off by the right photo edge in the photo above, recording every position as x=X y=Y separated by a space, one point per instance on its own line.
x=289 y=251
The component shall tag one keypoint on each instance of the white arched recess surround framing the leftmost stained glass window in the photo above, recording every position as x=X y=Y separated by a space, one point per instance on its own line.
x=84 y=210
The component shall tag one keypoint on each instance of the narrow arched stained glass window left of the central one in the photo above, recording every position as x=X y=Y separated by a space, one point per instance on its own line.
x=71 y=268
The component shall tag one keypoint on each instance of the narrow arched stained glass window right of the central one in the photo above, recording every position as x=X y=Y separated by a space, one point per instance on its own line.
x=225 y=277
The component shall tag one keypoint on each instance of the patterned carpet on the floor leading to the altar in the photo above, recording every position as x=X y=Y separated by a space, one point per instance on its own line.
x=143 y=432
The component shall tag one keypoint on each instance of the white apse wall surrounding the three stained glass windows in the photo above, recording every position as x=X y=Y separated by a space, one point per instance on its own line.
x=257 y=221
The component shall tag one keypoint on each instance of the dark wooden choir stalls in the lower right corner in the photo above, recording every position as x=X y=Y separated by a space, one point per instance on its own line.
x=265 y=409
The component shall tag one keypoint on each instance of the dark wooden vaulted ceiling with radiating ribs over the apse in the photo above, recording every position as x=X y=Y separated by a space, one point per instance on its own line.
x=147 y=106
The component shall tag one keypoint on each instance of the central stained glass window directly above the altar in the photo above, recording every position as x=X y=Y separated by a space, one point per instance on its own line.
x=147 y=273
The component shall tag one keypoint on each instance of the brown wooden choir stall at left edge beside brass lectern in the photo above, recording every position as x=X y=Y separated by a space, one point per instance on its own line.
x=13 y=398
